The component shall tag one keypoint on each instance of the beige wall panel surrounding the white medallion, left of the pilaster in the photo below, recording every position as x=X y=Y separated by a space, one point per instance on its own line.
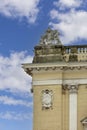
x=48 y=119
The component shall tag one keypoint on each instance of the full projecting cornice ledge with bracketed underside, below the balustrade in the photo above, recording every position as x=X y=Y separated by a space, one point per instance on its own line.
x=60 y=66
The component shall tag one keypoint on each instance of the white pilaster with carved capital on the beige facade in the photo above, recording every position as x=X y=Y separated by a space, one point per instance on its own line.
x=73 y=107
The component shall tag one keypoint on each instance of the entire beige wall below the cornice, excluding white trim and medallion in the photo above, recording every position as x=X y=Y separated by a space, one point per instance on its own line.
x=58 y=117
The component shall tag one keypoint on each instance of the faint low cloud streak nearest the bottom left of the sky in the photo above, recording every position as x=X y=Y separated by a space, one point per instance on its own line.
x=15 y=116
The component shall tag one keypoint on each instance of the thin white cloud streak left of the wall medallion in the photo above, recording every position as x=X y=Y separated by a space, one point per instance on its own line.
x=11 y=101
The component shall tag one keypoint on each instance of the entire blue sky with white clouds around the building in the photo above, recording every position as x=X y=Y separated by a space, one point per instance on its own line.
x=21 y=25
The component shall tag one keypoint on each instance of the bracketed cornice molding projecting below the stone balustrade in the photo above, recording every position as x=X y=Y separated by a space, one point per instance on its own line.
x=34 y=69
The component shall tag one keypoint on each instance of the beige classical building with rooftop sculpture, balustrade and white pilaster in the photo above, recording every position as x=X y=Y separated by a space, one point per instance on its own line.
x=59 y=84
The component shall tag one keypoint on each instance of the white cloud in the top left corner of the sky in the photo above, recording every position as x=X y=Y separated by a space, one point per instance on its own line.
x=20 y=9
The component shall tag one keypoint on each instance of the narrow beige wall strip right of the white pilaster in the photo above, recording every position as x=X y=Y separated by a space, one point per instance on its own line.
x=82 y=105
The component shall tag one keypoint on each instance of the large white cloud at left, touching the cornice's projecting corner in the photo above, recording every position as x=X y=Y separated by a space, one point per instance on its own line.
x=12 y=76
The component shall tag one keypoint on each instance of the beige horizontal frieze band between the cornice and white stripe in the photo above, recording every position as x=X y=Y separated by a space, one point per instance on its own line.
x=63 y=75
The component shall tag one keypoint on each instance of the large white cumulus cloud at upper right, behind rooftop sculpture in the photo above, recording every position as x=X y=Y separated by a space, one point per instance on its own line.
x=72 y=22
